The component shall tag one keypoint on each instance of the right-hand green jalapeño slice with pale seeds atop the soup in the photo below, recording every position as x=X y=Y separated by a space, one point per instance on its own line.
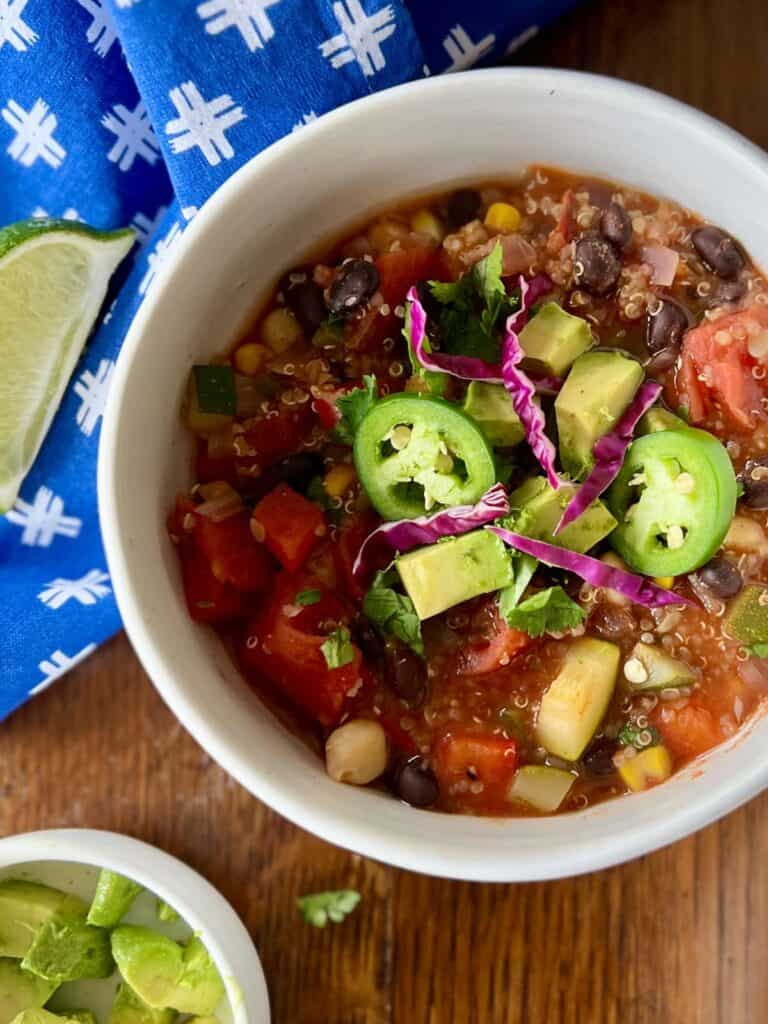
x=674 y=499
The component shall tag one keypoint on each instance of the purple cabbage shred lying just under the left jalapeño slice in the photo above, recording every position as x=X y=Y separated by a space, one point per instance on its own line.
x=408 y=534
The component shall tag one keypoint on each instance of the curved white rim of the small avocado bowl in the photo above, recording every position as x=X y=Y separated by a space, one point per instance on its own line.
x=200 y=904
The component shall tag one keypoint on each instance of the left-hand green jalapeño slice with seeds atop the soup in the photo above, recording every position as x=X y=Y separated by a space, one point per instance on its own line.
x=416 y=455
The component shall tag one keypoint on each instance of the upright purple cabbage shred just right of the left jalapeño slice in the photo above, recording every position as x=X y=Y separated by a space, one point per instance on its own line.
x=523 y=390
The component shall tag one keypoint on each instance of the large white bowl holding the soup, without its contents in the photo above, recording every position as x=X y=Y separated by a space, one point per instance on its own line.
x=301 y=192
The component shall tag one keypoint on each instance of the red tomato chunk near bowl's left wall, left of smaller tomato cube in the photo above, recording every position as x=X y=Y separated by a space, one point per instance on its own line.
x=234 y=554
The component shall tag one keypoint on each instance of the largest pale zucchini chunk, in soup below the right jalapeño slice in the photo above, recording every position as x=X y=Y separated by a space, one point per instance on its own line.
x=577 y=700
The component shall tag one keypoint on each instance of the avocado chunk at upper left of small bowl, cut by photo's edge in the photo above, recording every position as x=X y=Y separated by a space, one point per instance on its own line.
x=25 y=908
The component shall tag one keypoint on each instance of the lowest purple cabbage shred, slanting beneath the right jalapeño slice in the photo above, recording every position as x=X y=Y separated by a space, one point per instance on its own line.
x=636 y=588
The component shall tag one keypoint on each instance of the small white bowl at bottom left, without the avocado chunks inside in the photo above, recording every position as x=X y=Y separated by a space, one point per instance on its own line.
x=71 y=859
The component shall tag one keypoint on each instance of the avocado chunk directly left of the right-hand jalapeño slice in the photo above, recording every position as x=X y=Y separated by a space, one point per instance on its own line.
x=537 y=509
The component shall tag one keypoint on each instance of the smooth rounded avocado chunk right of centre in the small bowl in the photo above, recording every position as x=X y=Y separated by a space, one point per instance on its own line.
x=150 y=963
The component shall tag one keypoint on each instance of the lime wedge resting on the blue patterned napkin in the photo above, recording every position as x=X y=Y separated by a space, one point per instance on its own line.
x=54 y=278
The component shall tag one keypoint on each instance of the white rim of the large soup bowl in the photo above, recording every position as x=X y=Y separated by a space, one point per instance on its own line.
x=367 y=837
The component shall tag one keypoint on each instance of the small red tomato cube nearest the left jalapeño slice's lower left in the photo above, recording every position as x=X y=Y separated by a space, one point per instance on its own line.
x=292 y=525
